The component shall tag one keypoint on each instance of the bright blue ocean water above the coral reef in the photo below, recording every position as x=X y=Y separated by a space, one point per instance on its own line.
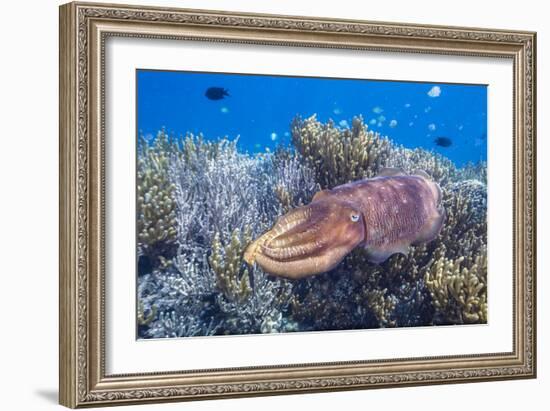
x=260 y=108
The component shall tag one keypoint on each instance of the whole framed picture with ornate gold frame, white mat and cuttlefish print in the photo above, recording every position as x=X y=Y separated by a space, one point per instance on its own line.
x=260 y=204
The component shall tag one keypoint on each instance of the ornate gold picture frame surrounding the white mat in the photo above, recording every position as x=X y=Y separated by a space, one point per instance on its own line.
x=85 y=29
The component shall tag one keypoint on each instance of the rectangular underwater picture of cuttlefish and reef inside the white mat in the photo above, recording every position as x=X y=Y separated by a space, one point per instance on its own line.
x=274 y=204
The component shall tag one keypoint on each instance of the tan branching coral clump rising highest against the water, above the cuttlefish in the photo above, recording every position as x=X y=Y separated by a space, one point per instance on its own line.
x=339 y=155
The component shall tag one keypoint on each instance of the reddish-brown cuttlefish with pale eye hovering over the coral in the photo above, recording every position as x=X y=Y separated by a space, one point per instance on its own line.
x=385 y=215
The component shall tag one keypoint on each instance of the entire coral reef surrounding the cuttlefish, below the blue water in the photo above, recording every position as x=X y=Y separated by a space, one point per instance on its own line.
x=201 y=201
